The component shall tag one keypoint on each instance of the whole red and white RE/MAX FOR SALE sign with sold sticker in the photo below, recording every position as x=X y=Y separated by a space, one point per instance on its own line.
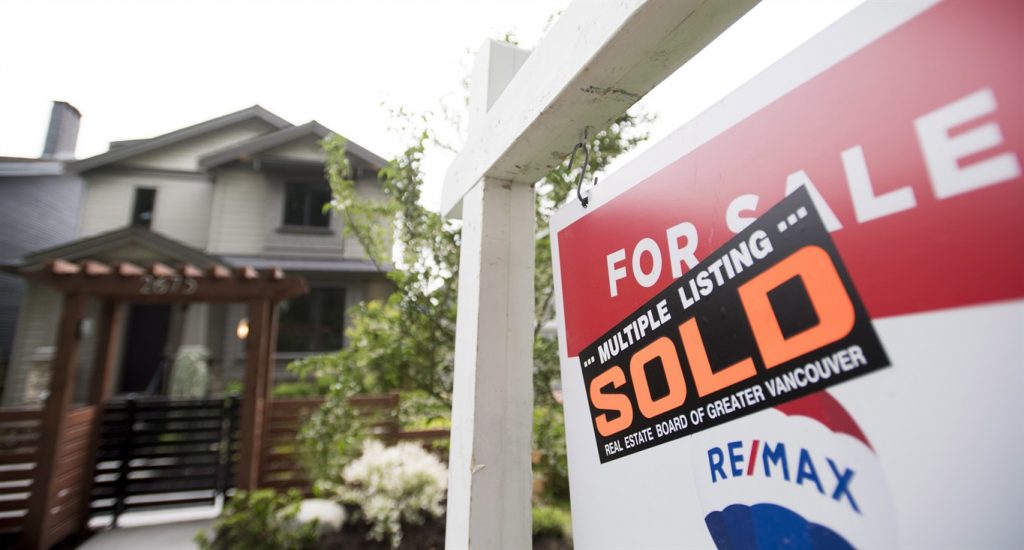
x=800 y=319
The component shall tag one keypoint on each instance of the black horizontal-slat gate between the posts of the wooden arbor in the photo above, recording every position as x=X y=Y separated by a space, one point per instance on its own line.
x=158 y=453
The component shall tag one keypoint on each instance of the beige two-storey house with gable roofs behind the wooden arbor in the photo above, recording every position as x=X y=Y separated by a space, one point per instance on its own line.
x=245 y=189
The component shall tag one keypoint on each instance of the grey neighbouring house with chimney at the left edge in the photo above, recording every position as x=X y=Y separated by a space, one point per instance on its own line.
x=38 y=209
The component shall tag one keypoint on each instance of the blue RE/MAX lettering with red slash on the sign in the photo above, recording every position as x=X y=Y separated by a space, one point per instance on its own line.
x=776 y=462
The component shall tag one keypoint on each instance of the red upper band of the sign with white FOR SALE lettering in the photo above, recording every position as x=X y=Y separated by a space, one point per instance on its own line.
x=911 y=145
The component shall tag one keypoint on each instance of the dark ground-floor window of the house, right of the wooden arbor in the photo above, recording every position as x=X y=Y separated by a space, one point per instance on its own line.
x=313 y=323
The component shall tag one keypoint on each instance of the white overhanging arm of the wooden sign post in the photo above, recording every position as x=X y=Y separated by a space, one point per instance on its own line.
x=596 y=62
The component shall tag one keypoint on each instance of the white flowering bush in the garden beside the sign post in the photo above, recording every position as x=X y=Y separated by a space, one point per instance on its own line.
x=393 y=485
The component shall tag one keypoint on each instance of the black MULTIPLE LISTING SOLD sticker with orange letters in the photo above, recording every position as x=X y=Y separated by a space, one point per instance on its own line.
x=770 y=317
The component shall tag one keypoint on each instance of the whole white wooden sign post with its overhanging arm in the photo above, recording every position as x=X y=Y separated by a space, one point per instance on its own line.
x=598 y=61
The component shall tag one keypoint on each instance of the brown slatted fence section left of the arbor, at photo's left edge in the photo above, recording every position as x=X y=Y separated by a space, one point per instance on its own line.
x=19 y=446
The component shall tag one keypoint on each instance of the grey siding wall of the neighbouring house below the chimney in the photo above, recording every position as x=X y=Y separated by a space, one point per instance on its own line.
x=36 y=213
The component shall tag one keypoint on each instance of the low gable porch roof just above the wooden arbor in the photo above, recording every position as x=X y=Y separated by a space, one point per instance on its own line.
x=92 y=246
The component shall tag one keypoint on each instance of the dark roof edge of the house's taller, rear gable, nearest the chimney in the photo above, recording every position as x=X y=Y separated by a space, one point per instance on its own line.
x=134 y=148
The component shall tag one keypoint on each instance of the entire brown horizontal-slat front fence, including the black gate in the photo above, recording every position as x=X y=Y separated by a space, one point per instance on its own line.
x=159 y=453
